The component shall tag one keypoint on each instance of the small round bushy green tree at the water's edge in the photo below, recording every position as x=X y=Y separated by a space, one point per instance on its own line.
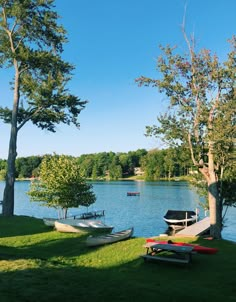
x=61 y=185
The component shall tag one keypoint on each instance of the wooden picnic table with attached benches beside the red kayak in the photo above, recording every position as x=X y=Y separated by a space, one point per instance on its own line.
x=168 y=252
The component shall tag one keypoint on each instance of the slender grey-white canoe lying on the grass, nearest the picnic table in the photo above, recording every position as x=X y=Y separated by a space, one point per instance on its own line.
x=109 y=238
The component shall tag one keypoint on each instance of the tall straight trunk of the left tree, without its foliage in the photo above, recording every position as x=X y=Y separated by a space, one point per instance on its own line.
x=8 y=197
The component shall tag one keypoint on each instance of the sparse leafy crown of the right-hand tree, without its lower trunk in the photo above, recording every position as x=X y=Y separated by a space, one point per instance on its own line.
x=199 y=88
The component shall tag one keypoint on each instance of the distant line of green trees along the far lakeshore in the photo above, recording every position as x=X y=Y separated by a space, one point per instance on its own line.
x=148 y=165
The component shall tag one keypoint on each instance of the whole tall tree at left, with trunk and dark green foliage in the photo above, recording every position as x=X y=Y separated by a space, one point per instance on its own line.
x=31 y=45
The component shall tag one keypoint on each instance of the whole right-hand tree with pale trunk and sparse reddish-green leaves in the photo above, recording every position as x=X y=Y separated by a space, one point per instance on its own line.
x=202 y=96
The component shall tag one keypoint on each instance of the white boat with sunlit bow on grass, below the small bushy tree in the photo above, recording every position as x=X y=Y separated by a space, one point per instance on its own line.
x=82 y=225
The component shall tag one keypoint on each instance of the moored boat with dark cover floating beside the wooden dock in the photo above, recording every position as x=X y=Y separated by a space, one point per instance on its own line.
x=181 y=218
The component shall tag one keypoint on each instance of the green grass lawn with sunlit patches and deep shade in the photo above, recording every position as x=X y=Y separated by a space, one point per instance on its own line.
x=40 y=264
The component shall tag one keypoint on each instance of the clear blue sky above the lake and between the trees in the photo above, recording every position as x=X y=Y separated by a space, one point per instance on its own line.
x=112 y=42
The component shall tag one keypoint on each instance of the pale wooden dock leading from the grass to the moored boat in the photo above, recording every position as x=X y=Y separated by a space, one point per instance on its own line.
x=196 y=229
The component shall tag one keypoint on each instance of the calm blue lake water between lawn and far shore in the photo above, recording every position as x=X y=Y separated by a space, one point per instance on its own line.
x=145 y=212
